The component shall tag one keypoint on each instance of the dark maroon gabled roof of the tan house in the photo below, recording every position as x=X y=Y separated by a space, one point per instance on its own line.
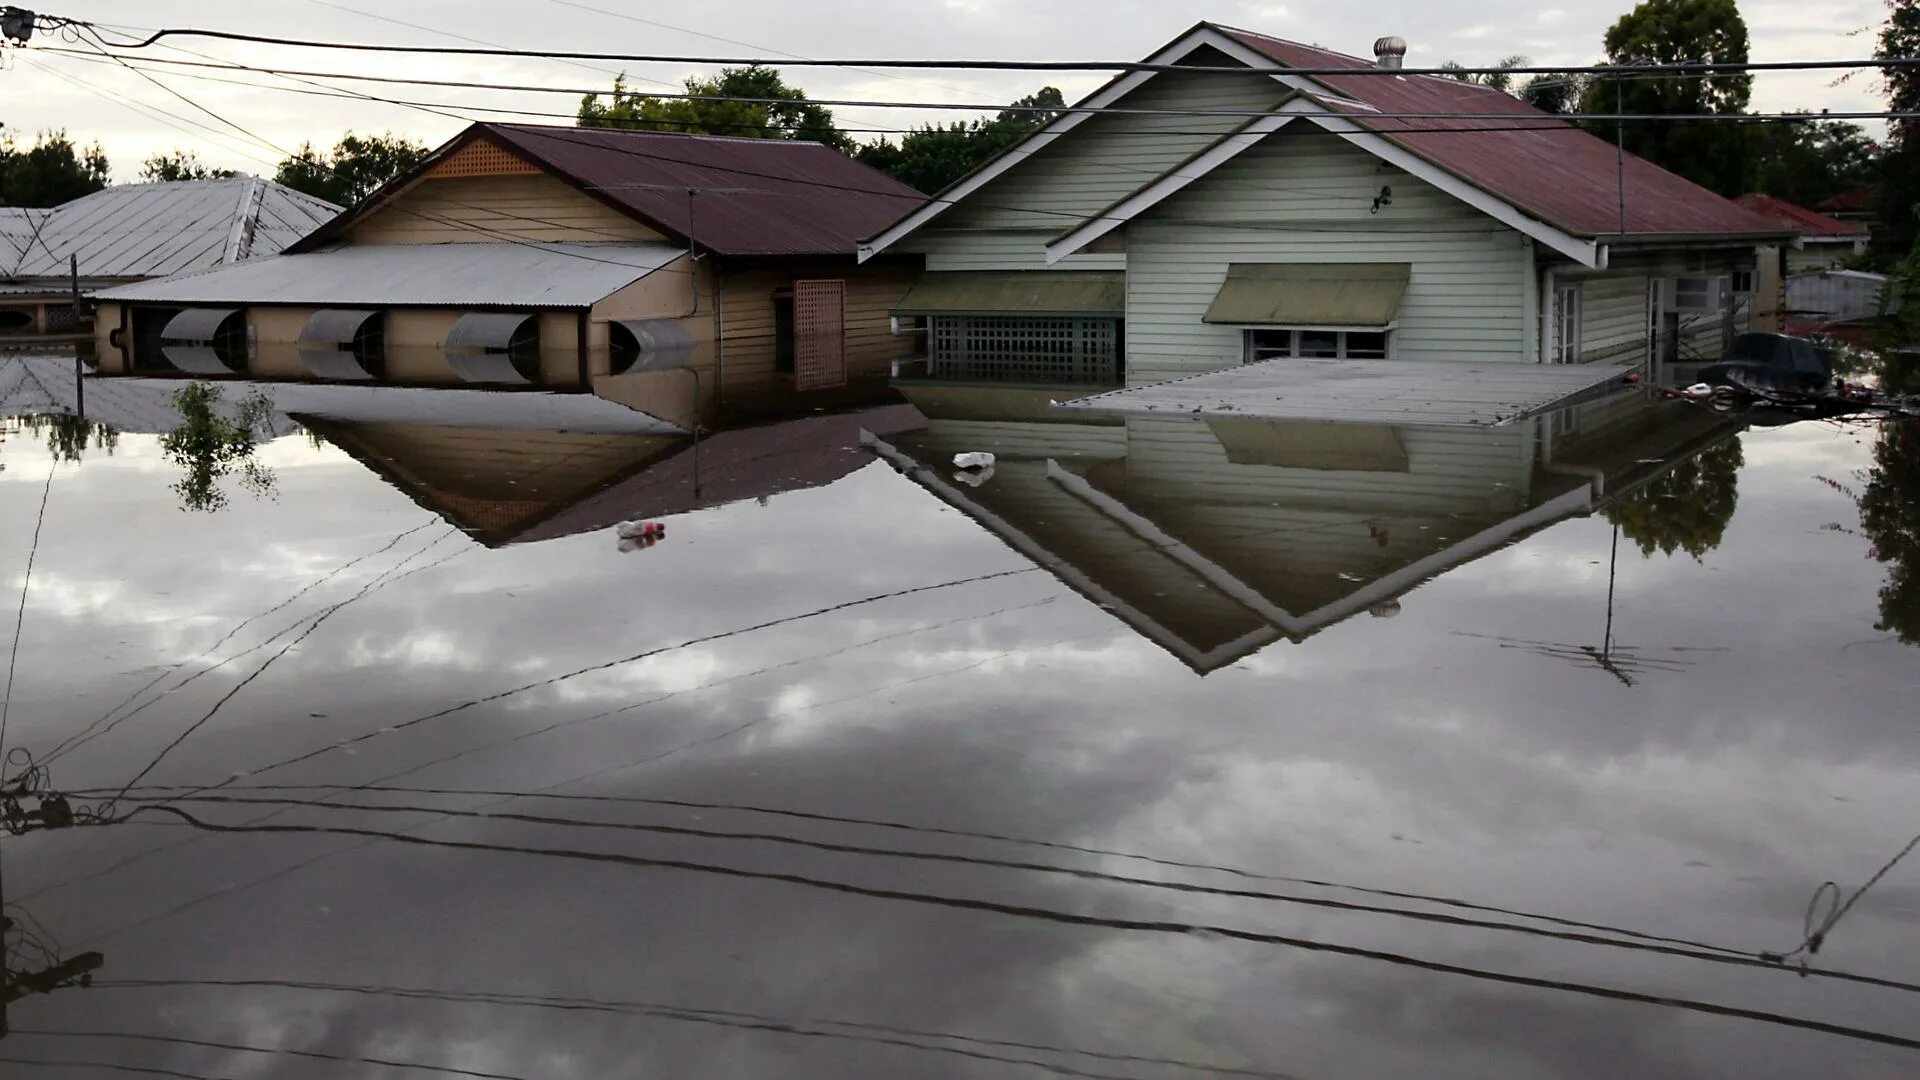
x=734 y=197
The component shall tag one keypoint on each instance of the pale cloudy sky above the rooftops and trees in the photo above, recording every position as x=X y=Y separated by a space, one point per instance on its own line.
x=133 y=118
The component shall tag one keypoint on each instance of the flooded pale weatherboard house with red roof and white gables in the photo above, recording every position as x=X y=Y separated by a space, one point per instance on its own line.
x=1289 y=201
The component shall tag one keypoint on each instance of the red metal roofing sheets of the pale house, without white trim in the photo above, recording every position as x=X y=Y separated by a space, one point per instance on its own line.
x=1543 y=164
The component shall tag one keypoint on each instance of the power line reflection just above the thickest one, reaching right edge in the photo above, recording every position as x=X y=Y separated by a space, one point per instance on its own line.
x=1698 y=954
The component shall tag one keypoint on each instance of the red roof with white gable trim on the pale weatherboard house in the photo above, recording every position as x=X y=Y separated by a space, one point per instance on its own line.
x=1497 y=151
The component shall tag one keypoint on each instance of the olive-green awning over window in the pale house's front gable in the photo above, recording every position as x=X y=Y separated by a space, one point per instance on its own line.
x=1310 y=295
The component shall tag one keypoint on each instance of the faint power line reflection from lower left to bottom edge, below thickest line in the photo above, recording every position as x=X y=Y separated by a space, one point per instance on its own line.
x=729 y=1018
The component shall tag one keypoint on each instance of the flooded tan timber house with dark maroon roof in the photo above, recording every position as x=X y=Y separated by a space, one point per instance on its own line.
x=669 y=272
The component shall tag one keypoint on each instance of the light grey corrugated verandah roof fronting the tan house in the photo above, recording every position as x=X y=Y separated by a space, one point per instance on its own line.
x=429 y=276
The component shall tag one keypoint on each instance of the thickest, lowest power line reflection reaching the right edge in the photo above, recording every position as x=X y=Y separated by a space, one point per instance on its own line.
x=1078 y=920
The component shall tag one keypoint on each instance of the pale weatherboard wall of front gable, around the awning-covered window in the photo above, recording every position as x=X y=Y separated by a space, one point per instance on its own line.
x=1308 y=199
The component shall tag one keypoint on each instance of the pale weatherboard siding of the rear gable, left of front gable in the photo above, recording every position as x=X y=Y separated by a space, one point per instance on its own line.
x=1009 y=222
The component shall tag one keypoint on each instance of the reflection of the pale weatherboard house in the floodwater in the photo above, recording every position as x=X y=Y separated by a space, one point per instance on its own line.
x=1218 y=539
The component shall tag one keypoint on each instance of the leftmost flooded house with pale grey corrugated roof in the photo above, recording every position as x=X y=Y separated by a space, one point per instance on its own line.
x=135 y=233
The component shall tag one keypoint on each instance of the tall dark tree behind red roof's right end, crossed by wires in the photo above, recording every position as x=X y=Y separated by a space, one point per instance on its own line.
x=1714 y=155
